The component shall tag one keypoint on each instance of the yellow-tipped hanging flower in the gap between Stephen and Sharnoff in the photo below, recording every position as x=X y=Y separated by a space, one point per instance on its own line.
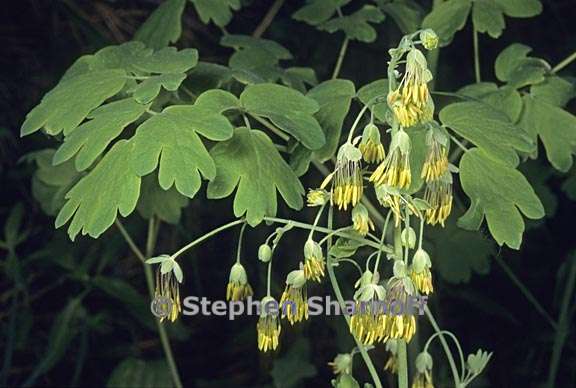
x=294 y=300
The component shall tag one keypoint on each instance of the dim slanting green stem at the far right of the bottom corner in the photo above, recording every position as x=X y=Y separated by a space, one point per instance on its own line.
x=563 y=326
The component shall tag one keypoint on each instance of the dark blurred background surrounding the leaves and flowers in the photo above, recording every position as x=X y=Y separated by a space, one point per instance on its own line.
x=40 y=39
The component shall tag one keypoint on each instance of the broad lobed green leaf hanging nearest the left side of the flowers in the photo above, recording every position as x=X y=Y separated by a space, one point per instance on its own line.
x=250 y=162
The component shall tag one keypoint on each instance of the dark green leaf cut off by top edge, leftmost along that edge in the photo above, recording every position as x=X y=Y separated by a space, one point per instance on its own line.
x=163 y=26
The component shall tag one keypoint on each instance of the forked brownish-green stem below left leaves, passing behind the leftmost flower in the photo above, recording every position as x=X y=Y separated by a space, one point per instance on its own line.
x=150 y=284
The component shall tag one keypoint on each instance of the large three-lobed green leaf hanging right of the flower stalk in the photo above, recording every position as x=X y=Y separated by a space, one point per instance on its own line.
x=498 y=193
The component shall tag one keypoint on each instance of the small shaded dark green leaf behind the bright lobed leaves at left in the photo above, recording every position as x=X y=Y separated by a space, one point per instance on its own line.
x=155 y=202
